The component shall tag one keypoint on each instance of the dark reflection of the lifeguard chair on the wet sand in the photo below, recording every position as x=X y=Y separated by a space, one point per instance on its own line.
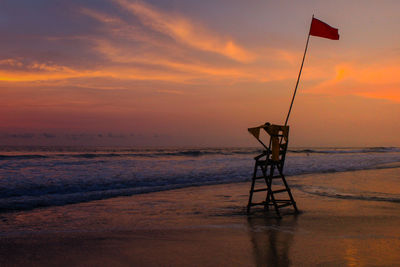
x=271 y=239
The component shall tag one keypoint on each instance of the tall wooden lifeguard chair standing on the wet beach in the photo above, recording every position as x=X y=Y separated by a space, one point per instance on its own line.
x=272 y=159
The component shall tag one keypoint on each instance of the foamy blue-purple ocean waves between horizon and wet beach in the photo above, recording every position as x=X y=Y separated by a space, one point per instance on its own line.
x=32 y=177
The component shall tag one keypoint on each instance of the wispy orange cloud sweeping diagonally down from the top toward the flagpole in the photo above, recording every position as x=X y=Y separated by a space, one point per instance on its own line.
x=128 y=47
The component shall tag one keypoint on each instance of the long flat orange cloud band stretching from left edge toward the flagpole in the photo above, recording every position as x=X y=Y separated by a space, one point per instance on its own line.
x=143 y=68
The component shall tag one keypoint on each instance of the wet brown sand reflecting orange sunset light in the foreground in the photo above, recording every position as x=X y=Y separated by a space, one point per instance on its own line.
x=208 y=226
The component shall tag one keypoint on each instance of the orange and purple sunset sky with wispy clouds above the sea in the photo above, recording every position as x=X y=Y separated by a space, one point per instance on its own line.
x=197 y=73
